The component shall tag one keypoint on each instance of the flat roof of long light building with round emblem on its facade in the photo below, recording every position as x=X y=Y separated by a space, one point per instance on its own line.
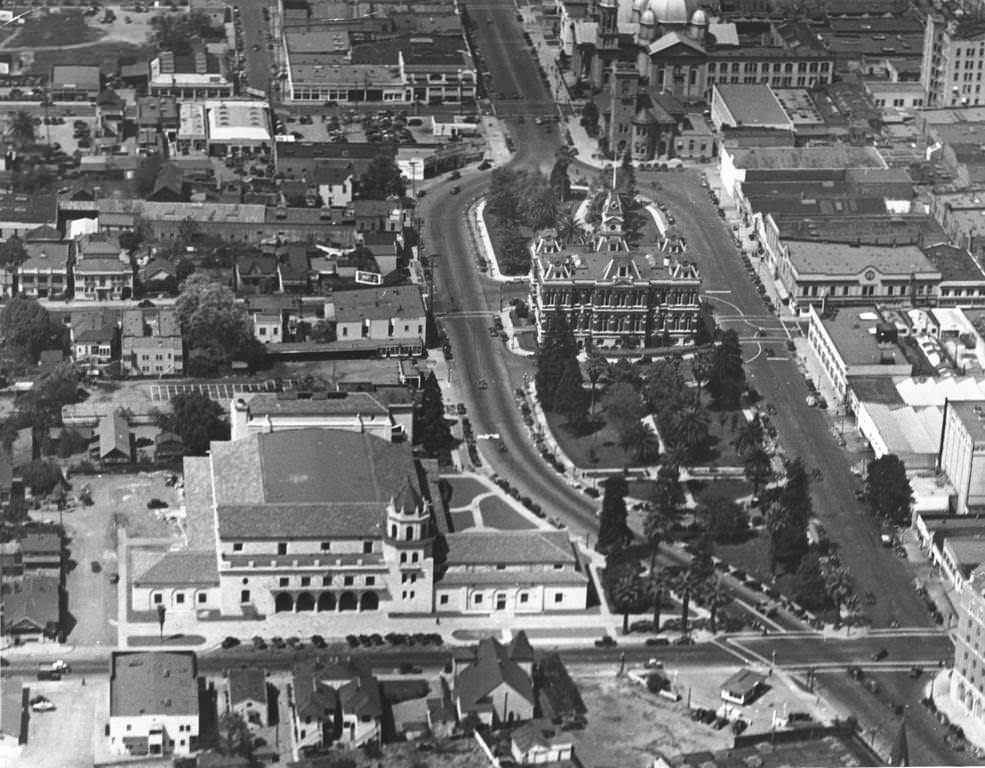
x=836 y=259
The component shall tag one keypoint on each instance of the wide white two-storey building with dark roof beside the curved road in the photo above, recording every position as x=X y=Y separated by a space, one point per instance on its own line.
x=392 y=317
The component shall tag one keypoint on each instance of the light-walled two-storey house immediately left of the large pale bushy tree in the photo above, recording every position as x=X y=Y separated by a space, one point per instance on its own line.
x=151 y=343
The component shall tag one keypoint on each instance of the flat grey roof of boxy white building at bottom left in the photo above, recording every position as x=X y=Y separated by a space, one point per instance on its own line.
x=153 y=683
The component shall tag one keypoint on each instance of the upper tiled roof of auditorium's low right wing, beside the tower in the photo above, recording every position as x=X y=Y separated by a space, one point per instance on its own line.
x=510 y=547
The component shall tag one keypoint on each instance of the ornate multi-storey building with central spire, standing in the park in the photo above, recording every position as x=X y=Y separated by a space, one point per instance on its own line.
x=611 y=294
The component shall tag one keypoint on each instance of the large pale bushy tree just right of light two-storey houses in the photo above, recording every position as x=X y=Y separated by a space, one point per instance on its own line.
x=214 y=326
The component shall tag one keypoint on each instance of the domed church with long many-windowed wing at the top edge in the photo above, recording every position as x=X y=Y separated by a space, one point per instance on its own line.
x=679 y=48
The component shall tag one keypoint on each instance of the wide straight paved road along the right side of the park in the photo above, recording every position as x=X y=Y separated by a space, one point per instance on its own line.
x=803 y=431
